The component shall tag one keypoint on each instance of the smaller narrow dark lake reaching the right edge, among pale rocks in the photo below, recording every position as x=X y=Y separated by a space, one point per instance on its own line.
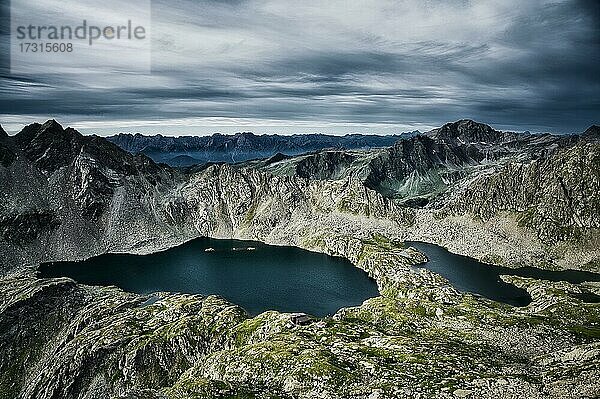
x=470 y=275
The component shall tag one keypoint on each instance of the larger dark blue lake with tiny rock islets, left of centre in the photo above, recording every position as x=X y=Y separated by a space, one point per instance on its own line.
x=268 y=277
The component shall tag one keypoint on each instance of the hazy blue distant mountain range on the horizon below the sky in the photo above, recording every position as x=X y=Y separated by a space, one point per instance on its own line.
x=192 y=150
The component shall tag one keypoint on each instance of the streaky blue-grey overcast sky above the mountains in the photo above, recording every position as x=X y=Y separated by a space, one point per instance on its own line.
x=373 y=66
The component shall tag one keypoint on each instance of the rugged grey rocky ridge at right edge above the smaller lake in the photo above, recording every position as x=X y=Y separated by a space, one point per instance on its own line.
x=558 y=196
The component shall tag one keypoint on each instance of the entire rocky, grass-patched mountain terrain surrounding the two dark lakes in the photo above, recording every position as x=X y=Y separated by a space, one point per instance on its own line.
x=505 y=198
